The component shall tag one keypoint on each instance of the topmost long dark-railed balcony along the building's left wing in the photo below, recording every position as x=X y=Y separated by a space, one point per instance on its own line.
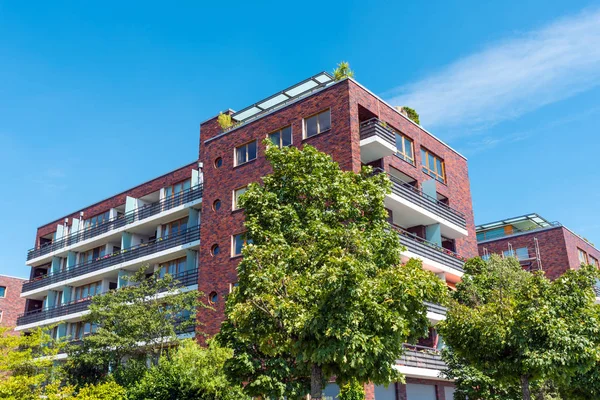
x=132 y=216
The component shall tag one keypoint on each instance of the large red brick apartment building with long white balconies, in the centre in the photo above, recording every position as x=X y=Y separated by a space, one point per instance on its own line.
x=187 y=221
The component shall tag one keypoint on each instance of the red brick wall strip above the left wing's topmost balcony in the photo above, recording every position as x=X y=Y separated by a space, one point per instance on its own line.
x=119 y=199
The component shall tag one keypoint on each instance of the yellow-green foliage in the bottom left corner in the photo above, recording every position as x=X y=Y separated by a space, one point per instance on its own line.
x=26 y=365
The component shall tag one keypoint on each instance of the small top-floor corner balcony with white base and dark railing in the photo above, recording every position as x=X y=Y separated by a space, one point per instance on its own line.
x=376 y=141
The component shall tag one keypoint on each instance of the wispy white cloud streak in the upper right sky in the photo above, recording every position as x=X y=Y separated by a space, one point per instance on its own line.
x=510 y=78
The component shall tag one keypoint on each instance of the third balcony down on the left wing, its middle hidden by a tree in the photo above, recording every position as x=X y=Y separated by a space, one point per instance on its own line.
x=186 y=278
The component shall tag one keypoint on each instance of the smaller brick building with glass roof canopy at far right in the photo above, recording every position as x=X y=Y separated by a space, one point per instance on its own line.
x=537 y=243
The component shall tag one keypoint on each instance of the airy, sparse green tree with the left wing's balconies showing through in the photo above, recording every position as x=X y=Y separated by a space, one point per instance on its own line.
x=134 y=323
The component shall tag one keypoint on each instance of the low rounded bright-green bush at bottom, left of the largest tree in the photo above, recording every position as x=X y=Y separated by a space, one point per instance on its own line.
x=191 y=372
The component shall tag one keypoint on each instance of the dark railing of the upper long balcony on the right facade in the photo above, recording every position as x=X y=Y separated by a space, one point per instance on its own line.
x=415 y=195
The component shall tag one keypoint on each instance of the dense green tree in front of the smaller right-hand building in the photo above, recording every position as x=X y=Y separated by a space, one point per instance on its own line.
x=521 y=329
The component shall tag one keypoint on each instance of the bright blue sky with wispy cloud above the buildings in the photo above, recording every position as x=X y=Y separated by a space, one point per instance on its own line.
x=95 y=98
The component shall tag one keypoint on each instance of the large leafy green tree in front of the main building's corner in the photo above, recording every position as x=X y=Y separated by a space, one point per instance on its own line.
x=322 y=291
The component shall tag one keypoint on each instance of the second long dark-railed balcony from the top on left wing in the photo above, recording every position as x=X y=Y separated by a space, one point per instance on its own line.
x=163 y=243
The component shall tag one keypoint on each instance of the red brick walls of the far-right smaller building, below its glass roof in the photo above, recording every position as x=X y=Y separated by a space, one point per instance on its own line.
x=558 y=249
